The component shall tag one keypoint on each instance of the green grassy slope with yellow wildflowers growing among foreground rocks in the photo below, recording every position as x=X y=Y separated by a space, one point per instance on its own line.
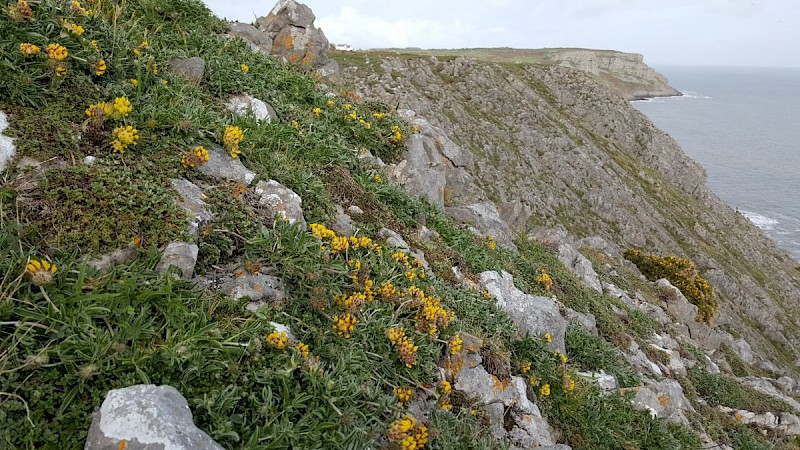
x=69 y=333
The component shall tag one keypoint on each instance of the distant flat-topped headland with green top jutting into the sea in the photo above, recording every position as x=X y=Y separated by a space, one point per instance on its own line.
x=626 y=73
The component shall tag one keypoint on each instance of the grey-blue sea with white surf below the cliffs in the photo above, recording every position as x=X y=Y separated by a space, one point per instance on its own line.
x=743 y=126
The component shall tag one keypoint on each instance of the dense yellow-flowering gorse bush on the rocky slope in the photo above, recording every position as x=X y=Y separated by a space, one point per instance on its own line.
x=683 y=274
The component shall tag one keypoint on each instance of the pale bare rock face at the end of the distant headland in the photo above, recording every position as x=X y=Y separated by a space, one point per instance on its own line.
x=627 y=72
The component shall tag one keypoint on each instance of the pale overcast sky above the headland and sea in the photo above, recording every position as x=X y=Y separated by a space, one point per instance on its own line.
x=695 y=32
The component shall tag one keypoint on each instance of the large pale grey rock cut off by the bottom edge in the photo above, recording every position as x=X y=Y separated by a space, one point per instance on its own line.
x=146 y=417
